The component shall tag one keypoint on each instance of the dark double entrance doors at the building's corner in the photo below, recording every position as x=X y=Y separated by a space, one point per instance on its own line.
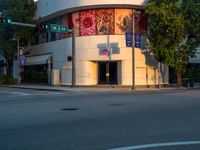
x=108 y=72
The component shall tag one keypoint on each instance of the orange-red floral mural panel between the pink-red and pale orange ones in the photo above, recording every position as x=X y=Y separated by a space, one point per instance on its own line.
x=105 y=21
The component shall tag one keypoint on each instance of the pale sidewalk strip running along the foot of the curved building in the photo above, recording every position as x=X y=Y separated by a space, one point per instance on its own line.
x=92 y=89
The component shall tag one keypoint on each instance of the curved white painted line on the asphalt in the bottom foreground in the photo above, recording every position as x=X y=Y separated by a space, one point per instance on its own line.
x=145 y=146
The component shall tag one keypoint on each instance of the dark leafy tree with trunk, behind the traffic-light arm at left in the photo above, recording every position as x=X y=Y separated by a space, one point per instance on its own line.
x=18 y=11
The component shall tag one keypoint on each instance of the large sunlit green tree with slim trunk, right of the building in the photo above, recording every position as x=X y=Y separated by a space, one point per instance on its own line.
x=174 y=32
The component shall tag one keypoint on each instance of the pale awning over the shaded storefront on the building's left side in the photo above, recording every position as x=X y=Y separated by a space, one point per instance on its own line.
x=37 y=60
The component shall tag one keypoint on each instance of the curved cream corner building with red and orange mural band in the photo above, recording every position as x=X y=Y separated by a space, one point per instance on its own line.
x=101 y=53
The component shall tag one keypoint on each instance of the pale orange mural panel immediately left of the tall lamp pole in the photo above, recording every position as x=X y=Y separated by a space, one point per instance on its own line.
x=123 y=21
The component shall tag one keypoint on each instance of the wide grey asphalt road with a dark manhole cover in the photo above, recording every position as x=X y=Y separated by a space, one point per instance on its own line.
x=47 y=120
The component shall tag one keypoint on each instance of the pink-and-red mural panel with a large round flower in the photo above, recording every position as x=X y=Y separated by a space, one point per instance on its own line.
x=87 y=23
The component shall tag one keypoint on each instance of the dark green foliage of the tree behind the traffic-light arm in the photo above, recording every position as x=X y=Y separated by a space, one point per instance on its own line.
x=18 y=11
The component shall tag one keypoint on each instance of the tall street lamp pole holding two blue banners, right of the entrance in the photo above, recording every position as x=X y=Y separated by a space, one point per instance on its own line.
x=133 y=50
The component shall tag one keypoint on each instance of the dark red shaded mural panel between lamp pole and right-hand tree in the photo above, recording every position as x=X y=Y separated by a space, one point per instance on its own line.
x=140 y=23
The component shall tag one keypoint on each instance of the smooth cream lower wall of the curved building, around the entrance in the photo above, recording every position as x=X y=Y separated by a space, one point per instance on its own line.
x=87 y=56
